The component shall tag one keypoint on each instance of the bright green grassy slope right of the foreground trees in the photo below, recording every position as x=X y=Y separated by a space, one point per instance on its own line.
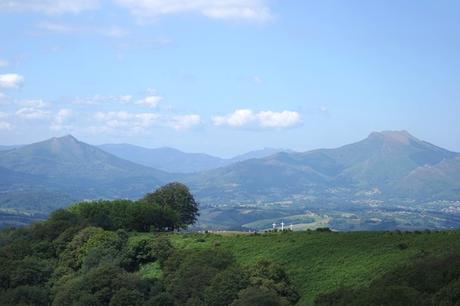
x=321 y=262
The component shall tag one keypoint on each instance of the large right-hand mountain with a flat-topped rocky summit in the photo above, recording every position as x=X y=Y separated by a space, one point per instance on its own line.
x=394 y=162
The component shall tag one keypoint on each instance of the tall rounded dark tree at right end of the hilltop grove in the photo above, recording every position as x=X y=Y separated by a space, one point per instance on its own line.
x=177 y=197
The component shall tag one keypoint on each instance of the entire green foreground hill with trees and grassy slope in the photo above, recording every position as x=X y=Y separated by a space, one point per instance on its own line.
x=125 y=253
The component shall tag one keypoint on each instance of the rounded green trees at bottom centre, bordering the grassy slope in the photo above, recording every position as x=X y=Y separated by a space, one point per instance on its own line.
x=212 y=277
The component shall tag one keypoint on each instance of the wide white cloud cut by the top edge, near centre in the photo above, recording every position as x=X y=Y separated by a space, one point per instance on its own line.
x=248 y=10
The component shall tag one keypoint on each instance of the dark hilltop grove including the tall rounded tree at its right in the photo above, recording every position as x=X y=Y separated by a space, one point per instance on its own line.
x=169 y=207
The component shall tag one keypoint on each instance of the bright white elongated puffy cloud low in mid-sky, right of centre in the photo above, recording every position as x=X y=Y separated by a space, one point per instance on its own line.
x=264 y=119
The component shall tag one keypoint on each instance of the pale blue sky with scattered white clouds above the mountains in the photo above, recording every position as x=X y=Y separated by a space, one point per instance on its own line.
x=229 y=76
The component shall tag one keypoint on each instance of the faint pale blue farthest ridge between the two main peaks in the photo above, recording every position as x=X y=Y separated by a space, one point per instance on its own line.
x=175 y=161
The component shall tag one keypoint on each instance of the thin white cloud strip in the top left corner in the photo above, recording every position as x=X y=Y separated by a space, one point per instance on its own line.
x=49 y=6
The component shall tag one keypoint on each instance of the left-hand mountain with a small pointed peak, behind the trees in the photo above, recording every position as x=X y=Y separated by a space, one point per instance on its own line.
x=42 y=176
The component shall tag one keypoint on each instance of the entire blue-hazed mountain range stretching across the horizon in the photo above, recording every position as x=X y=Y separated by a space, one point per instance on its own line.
x=386 y=168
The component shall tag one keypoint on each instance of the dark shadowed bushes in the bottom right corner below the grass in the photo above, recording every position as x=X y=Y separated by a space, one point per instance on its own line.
x=427 y=282
